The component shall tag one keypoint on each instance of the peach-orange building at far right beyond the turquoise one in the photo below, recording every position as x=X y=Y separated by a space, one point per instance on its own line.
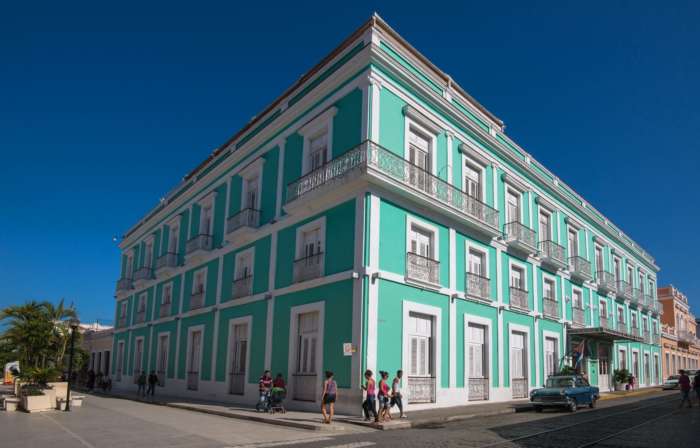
x=680 y=344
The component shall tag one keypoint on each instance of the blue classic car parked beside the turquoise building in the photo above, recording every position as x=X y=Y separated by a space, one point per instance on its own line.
x=569 y=391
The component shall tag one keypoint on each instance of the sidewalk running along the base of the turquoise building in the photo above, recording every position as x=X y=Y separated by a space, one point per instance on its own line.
x=354 y=424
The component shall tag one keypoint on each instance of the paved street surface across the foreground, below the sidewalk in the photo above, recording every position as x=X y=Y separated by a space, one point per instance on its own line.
x=106 y=422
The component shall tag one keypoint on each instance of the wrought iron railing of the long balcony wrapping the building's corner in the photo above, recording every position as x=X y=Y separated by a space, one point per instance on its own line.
x=369 y=158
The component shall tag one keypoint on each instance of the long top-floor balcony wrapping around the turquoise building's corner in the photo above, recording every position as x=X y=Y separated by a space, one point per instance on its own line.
x=369 y=163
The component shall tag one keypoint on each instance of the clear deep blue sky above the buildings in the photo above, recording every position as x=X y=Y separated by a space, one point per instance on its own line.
x=104 y=107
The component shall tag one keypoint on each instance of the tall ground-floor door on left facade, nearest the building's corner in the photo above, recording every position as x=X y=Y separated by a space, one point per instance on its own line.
x=306 y=375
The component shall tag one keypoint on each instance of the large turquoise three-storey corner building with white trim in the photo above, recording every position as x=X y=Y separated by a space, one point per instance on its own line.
x=376 y=216
